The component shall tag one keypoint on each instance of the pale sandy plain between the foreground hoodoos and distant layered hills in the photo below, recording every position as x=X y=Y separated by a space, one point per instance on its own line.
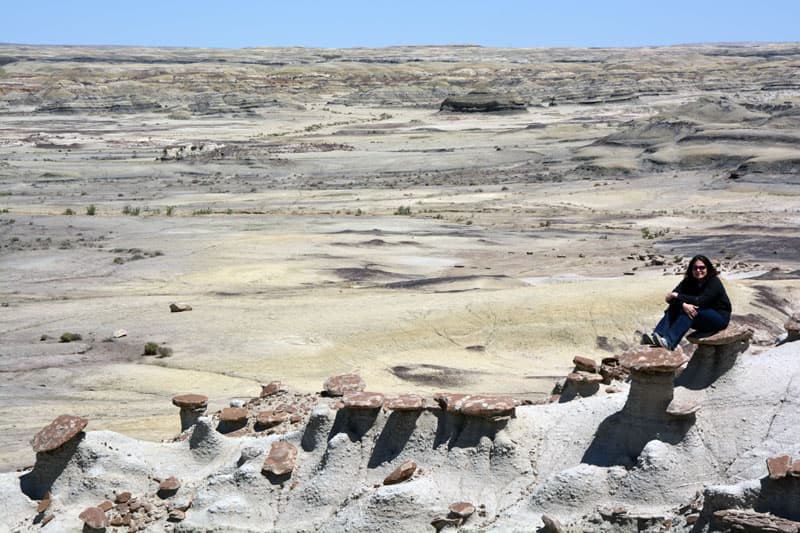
x=426 y=251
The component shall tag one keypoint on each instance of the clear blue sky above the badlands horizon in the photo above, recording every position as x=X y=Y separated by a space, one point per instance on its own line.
x=376 y=23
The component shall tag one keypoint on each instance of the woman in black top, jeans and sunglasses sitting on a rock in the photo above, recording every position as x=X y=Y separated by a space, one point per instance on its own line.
x=698 y=302
